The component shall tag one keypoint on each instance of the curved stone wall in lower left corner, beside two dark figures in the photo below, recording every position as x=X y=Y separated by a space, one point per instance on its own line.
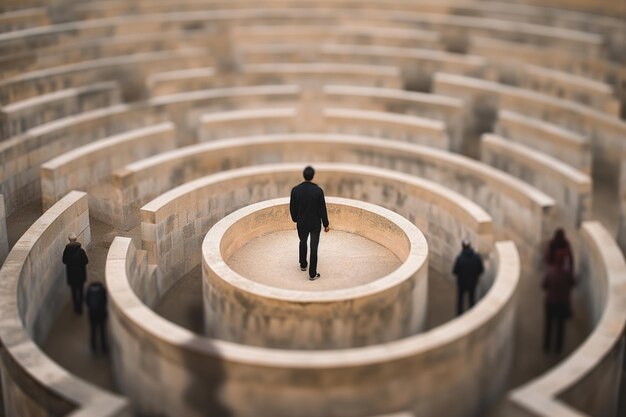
x=32 y=291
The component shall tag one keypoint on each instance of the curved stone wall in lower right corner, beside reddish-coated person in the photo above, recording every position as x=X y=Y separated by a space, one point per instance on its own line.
x=588 y=380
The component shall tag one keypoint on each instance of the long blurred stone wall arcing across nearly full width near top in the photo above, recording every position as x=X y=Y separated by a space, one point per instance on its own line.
x=538 y=34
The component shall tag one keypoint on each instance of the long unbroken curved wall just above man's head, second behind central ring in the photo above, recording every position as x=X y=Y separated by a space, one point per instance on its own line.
x=519 y=211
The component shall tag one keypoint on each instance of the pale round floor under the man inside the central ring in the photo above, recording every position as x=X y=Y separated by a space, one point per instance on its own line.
x=344 y=260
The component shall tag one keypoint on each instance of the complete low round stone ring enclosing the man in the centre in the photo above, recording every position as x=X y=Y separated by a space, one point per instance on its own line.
x=384 y=308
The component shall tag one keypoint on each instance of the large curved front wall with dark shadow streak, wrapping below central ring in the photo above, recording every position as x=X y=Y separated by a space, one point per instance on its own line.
x=238 y=380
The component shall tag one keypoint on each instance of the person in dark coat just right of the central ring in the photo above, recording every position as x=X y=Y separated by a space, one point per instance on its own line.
x=468 y=267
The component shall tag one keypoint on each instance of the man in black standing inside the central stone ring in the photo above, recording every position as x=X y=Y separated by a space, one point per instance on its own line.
x=308 y=209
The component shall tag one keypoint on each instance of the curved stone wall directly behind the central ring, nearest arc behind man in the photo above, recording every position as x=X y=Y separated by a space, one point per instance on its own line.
x=174 y=224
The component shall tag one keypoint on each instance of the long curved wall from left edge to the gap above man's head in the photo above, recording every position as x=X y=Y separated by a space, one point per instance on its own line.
x=22 y=155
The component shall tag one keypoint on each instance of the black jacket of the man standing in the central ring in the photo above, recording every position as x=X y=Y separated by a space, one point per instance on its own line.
x=307 y=206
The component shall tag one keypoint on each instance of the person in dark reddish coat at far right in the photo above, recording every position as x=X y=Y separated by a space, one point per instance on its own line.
x=557 y=284
